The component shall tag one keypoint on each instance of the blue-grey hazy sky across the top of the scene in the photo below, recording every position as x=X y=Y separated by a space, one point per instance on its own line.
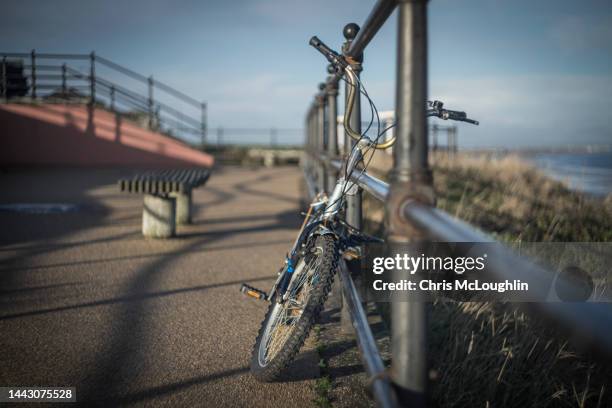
x=535 y=73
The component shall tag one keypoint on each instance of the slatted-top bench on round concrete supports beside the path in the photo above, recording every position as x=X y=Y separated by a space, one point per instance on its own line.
x=167 y=198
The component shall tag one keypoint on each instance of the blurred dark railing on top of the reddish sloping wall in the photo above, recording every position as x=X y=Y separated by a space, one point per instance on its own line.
x=48 y=76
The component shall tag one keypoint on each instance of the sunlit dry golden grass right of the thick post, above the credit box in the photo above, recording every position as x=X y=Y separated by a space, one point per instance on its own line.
x=515 y=201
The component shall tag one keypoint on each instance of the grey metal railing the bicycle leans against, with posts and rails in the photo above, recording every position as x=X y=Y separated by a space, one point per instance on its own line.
x=411 y=215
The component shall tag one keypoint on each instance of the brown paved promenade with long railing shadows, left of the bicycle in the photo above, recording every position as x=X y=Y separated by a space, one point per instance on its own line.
x=86 y=301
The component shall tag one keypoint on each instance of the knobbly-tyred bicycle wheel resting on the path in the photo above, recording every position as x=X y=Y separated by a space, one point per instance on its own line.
x=287 y=324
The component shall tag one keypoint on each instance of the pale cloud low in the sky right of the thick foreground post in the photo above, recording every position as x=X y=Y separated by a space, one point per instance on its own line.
x=531 y=110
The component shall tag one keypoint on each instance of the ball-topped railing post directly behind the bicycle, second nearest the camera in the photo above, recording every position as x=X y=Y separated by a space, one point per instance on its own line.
x=353 y=202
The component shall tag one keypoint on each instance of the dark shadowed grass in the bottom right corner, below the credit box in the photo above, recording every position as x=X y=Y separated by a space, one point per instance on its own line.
x=491 y=354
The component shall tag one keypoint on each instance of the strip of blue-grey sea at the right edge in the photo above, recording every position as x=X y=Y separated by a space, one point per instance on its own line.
x=590 y=173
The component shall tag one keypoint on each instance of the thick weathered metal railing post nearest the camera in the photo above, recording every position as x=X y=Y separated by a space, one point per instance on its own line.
x=411 y=180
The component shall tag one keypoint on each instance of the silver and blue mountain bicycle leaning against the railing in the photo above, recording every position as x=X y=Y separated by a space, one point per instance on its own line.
x=305 y=279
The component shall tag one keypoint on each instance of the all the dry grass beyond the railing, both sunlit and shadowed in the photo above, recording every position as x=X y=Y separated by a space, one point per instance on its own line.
x=493 y=354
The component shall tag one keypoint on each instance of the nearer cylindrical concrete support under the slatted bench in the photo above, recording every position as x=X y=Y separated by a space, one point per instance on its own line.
x=159 y=216
